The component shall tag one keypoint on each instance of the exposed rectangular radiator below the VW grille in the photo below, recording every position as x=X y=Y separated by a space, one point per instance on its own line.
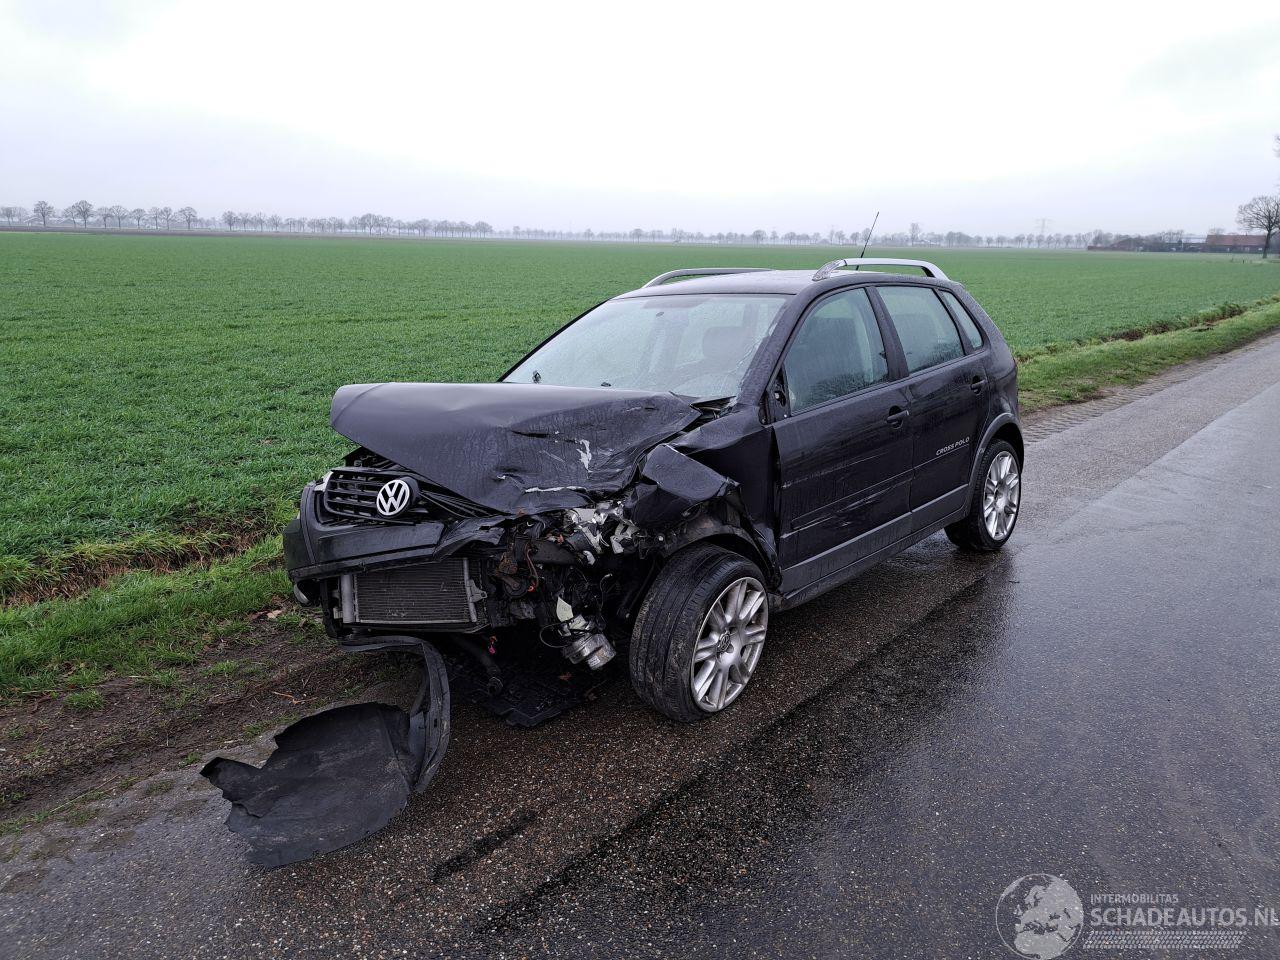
x=426 y=593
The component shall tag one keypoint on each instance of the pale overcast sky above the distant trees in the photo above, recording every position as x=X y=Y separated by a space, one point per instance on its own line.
x=707 y=117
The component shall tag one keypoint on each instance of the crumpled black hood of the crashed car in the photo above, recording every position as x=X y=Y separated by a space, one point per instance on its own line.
x=513 y=447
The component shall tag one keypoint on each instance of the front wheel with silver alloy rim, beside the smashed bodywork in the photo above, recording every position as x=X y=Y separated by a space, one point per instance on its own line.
x=678 y=612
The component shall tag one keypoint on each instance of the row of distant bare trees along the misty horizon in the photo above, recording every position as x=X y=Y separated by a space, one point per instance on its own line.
x=1261 y=213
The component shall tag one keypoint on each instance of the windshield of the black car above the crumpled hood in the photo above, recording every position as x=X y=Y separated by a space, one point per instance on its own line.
x=696 y=346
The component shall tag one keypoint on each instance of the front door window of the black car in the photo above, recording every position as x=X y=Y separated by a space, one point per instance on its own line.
x=838 y=351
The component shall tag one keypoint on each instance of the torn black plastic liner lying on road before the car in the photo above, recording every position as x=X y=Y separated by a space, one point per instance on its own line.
x=341 y=775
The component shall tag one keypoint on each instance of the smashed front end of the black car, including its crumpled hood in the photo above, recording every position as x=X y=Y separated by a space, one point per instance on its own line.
x=477 y=508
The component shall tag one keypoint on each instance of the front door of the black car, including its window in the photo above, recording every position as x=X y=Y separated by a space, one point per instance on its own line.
x=844 y=441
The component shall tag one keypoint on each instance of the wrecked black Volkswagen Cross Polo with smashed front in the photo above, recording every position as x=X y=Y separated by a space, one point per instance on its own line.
x=669 y=470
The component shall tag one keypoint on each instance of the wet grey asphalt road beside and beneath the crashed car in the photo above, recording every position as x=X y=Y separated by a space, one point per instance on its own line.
x=1099 y=703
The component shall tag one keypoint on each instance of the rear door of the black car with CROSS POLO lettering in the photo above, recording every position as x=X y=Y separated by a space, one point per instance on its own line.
x=948 y=399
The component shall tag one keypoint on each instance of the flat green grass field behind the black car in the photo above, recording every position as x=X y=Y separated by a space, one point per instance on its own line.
x=164 y=399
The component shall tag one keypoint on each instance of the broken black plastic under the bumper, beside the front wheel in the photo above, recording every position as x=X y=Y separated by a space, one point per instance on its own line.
x=538 y=684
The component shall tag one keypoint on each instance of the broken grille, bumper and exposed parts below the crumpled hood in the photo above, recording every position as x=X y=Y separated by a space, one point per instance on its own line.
x=449 y=572
